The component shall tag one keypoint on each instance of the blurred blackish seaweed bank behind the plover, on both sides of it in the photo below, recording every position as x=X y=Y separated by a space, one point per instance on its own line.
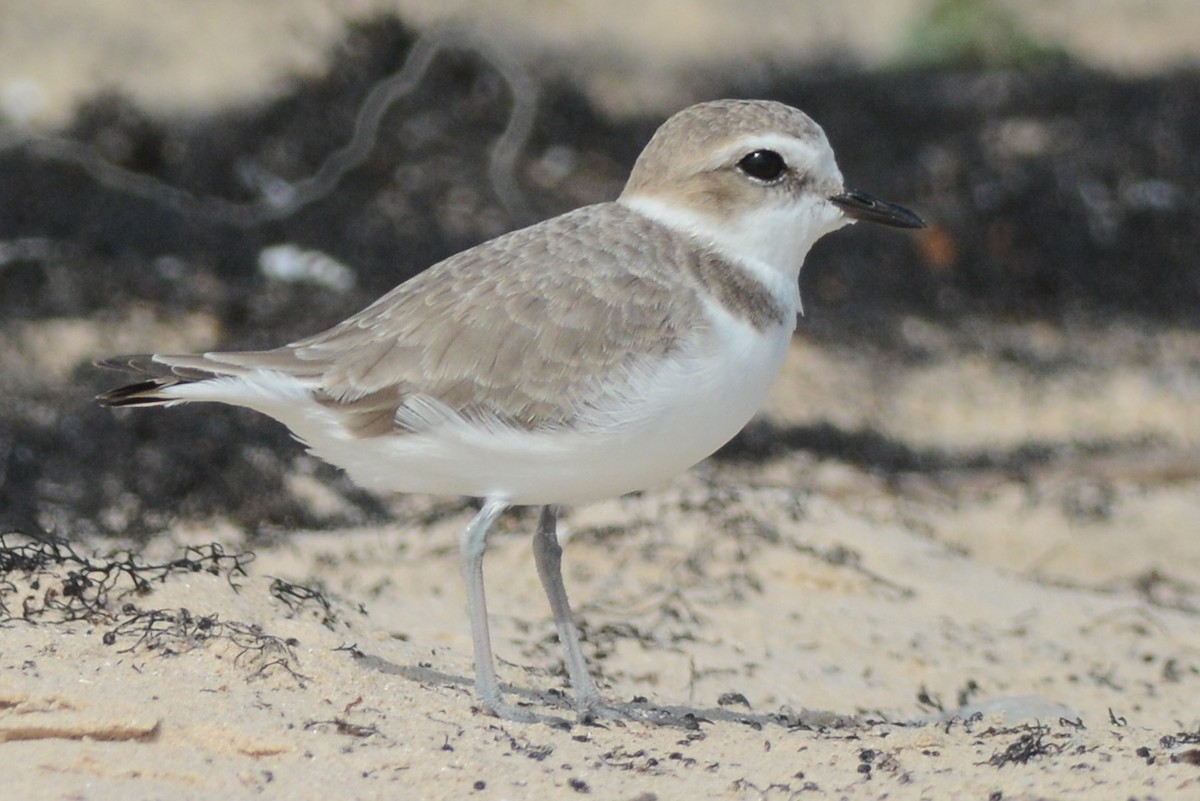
x=1052 y=196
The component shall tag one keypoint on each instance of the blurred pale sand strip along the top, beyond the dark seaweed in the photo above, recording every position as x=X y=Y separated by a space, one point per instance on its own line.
x=629 y=57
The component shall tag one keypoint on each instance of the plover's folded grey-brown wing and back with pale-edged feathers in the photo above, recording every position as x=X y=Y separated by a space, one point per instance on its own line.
x=526 y=329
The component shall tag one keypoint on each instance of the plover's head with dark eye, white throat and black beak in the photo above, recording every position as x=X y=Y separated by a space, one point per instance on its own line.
x=758 y=179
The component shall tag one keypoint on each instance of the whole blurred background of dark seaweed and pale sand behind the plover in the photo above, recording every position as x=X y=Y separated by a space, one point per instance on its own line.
x=182 y=176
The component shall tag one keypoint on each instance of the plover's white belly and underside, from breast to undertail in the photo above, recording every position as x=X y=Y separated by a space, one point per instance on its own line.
x=662 y=424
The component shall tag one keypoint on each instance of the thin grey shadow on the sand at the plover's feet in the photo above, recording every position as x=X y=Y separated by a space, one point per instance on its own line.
x=638 y=710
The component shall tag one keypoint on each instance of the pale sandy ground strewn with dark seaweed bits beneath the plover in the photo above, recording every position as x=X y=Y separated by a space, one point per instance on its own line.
x=971 y=633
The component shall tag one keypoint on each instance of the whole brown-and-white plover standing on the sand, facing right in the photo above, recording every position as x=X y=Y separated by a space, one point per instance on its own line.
x=586 y=357
